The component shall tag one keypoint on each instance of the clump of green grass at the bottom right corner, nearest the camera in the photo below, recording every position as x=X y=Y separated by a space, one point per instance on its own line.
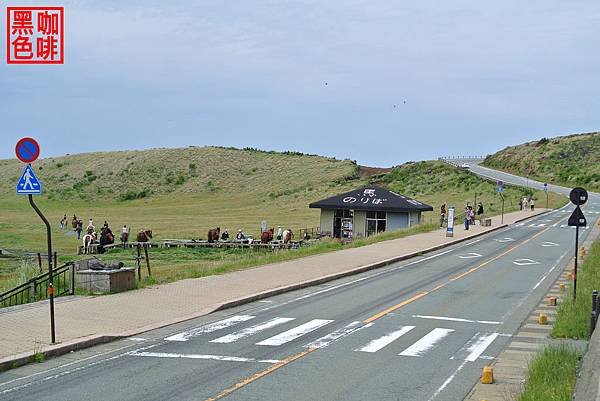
x=552 y=375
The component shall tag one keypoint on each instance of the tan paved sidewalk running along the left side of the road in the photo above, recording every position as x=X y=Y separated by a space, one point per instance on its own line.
x=84 y=321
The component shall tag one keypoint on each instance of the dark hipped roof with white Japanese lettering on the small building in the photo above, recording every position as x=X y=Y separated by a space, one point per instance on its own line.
x=372 y=198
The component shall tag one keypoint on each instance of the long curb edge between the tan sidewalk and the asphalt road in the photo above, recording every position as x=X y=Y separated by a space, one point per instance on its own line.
x=21 y=359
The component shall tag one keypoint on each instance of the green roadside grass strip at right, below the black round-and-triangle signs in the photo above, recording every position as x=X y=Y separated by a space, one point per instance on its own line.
x=573 y=319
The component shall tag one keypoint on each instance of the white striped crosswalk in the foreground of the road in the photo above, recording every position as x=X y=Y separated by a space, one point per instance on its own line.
x=429 y=339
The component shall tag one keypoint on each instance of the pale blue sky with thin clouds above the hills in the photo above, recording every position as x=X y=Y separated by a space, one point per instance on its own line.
x=380 y=82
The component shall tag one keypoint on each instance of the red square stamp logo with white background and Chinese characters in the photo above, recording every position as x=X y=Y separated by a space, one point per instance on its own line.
x=35 y=35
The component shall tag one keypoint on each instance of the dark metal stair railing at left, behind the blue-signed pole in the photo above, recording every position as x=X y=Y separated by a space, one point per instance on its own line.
x=36 y=288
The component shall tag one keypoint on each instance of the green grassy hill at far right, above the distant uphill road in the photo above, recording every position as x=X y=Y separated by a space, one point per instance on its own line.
x=572 y=160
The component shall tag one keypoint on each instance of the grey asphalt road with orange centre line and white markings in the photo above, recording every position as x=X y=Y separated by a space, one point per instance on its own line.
x=418 y=330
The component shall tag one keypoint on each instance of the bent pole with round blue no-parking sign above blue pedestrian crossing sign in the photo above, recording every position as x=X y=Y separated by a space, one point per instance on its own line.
x=28 y=150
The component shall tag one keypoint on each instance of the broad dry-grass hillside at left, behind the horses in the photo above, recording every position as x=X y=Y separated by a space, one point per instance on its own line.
x=131 y=175
